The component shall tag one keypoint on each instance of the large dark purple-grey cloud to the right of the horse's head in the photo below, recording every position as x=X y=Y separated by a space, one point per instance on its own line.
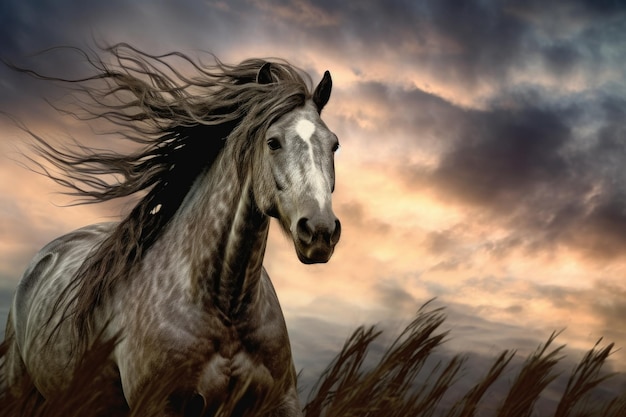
x=550 y=168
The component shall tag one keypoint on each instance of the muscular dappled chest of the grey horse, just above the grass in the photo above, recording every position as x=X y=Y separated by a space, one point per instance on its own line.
x=218 y=357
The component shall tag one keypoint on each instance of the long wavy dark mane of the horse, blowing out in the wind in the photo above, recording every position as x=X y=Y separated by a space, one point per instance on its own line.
x=181 y=123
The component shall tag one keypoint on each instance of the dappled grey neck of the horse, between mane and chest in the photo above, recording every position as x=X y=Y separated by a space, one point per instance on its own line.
x=222 y=237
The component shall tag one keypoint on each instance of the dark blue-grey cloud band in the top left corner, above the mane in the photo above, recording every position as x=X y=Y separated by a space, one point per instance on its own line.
x=27 y=27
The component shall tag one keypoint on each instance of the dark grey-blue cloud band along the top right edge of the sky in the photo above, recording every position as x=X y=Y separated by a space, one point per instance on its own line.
x=476 y=42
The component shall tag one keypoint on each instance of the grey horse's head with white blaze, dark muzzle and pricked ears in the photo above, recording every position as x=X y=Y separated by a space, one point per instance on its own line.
x=297 y=175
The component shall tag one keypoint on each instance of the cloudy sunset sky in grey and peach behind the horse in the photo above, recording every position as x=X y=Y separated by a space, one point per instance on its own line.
x=483 y=157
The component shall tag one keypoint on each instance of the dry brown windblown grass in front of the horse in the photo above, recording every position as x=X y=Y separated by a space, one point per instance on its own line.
x=405 y=381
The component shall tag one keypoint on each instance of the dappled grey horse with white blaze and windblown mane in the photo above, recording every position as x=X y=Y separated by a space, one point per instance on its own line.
x=179 y=282
